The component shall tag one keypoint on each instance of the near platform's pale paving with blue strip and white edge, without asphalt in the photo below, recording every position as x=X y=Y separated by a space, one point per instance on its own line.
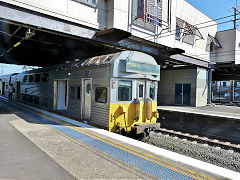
x=87 y=152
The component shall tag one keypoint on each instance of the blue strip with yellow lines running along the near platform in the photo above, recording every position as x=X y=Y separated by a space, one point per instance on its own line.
x=140 y=160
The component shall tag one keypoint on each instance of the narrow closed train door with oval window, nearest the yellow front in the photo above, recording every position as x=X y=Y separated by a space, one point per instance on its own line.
x=87 y=98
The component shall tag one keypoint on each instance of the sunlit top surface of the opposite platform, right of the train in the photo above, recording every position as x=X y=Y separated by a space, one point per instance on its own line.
x=211 y=111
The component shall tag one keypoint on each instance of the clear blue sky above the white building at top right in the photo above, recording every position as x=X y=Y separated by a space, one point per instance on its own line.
x=217 y=9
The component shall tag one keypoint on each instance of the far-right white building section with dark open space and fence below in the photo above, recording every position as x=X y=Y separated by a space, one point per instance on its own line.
x=226 y=73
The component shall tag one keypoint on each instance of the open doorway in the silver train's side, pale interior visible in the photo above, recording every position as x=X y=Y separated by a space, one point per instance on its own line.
x=61 y=93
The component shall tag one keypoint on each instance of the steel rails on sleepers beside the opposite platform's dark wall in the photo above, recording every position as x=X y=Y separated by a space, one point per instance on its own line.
x=206 y=141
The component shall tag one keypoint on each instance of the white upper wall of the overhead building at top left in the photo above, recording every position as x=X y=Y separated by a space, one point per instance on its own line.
x=78 y=12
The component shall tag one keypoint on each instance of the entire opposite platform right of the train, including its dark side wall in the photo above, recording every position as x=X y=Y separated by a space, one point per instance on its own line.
x=214 y=121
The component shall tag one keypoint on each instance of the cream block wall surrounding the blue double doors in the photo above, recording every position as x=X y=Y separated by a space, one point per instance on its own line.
x=196 y=77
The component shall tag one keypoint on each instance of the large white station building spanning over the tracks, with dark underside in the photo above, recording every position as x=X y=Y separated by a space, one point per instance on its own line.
x=174 y=32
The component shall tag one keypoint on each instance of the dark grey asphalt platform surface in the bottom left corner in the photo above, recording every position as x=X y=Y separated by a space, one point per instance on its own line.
x=19 y=157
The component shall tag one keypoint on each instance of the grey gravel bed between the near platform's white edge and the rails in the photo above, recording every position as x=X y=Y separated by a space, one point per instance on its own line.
x=214 y=155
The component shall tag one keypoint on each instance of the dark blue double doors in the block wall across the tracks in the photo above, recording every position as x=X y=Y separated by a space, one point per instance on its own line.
x=182 y=94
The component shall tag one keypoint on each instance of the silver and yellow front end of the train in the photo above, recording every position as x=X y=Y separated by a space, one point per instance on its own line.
x=133 y=101
